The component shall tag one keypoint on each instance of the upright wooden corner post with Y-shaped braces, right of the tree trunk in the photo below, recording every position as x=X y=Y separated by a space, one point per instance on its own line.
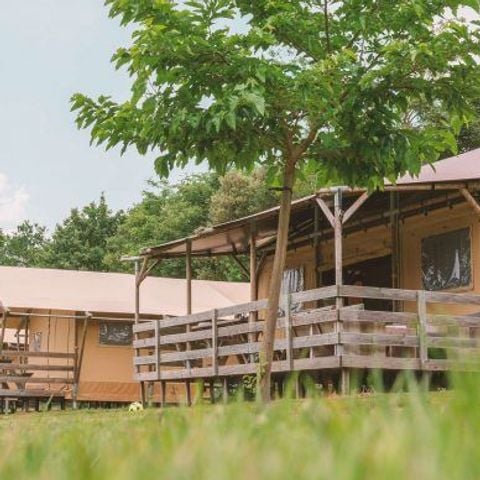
x=338 y=222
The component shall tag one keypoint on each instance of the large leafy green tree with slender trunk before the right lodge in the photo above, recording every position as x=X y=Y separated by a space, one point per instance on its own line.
x=313 y=85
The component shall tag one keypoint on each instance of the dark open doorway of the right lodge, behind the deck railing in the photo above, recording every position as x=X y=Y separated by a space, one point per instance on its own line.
x=376 y=272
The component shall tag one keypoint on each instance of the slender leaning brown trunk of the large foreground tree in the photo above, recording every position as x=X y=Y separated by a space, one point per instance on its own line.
x=266 y=351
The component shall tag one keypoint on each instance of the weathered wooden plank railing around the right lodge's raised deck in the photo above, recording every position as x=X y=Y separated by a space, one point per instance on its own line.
x=314 y=334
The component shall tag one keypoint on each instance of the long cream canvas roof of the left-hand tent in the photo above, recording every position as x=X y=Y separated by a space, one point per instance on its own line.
x=36 y=288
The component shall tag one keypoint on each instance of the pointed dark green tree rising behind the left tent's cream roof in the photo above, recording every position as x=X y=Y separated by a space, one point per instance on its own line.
x=80 y=242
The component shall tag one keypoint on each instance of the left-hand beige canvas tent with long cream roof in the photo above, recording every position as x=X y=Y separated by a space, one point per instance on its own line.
x=81 y=322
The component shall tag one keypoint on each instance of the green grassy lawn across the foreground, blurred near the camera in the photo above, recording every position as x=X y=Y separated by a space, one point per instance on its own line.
x=381 y=436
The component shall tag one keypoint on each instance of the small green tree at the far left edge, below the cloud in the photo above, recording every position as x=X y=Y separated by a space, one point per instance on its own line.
x=24 y=247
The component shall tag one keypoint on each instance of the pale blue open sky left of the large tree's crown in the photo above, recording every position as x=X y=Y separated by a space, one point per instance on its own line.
x=50 y=49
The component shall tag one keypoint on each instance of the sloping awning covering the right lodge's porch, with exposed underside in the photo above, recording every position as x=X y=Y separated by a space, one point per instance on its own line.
x=433 y=182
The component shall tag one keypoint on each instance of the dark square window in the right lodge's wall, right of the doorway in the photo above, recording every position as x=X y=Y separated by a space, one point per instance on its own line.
x=446 y=260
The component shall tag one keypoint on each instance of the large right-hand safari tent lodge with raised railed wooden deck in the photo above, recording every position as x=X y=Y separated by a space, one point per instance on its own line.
x=385 y=280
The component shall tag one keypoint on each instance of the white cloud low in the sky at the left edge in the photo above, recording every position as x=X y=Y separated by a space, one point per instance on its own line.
x=13 y=203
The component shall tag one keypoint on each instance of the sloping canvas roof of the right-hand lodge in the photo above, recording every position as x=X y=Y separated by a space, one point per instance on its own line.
x=233 y=236
